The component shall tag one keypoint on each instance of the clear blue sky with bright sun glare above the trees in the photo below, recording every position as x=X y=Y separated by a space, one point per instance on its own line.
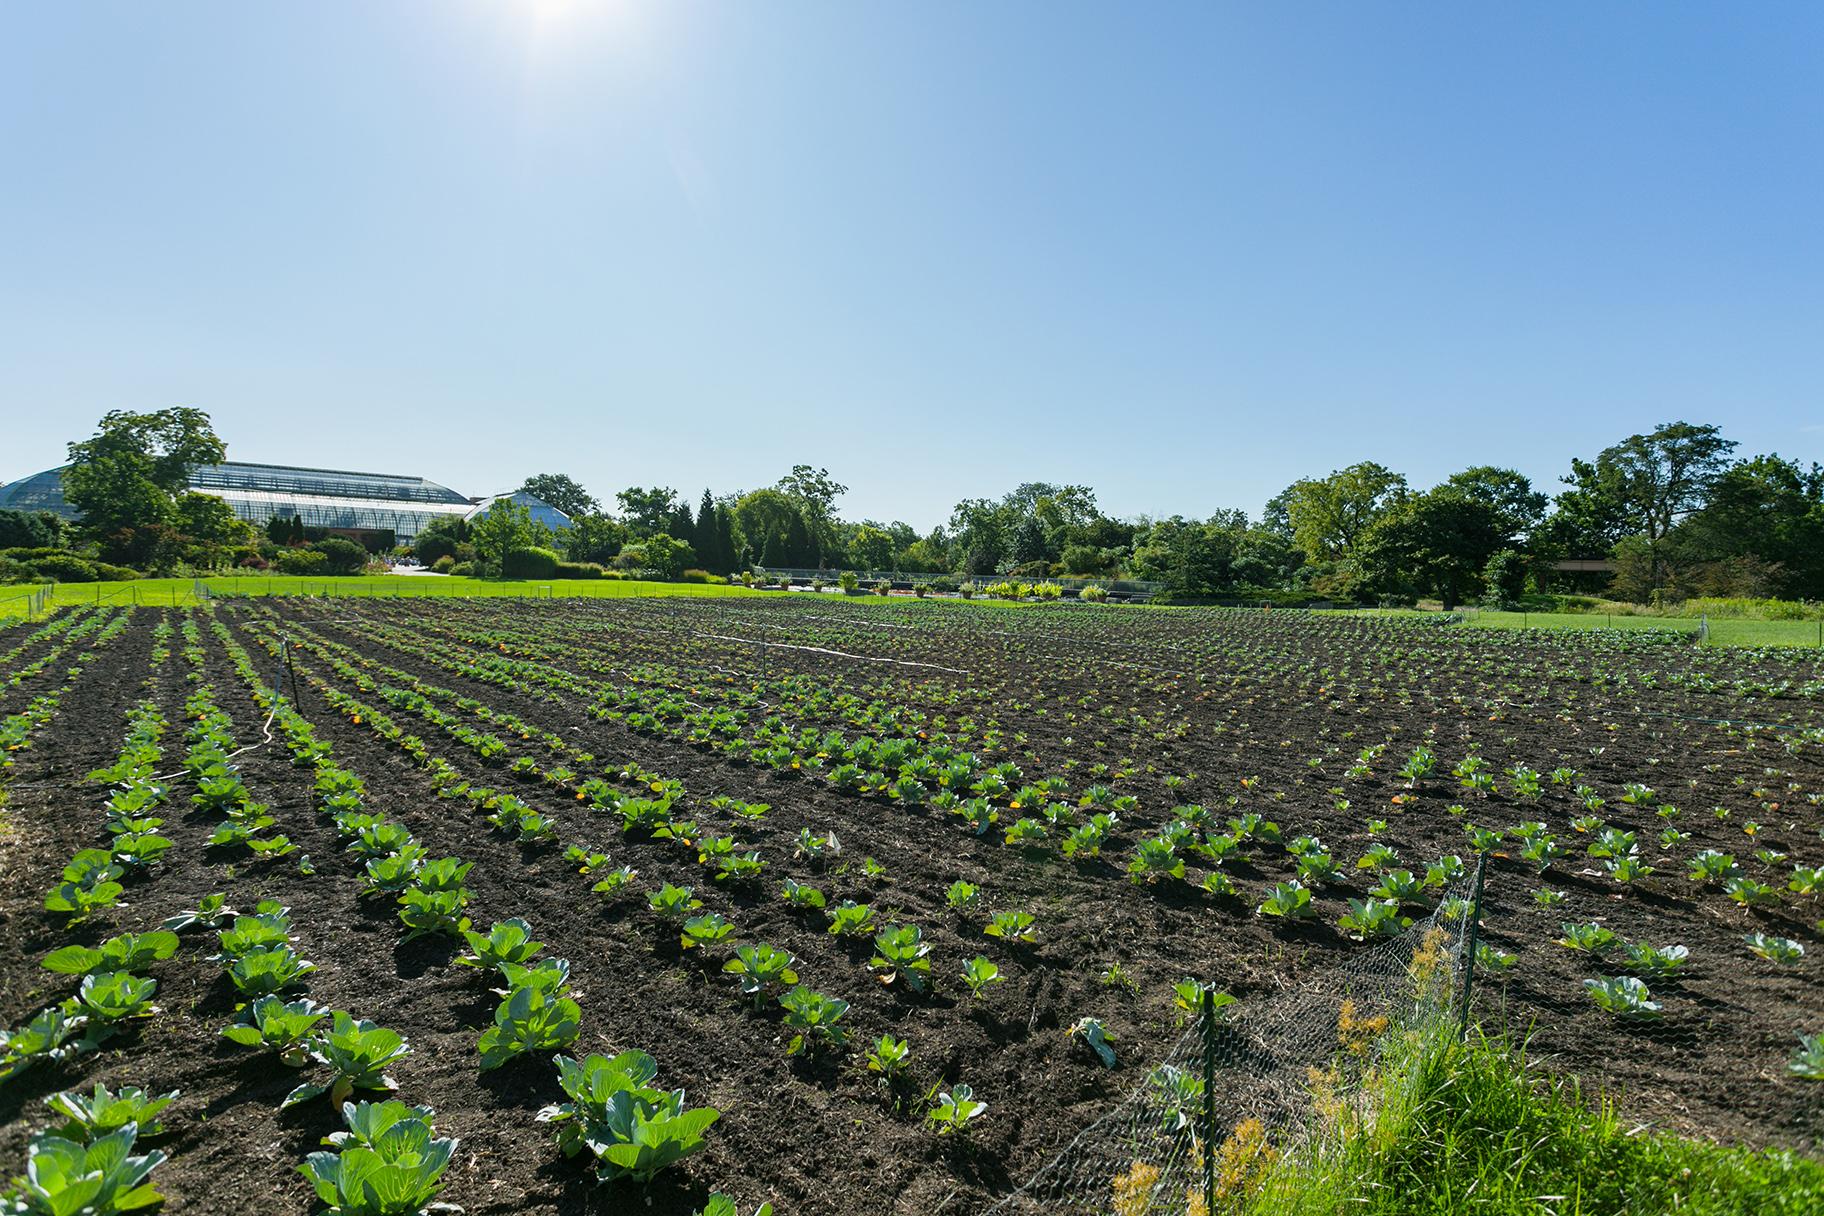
x=1185 y=254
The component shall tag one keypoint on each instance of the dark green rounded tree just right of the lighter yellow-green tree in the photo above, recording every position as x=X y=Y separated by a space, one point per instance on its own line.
x=1433 y=544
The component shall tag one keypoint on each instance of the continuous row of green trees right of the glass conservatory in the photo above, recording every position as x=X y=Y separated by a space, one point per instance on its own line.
x=1663 y=515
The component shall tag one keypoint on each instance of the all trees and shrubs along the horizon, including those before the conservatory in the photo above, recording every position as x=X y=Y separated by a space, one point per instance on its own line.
x=1664 y=515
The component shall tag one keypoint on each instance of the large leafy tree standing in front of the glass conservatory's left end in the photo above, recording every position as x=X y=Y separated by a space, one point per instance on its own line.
x=127 y=477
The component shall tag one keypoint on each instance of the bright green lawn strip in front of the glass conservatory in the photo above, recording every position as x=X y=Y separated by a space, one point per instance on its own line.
x=178 y=592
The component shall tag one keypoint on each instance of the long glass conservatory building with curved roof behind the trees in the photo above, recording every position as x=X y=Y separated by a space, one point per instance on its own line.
x=326 y=499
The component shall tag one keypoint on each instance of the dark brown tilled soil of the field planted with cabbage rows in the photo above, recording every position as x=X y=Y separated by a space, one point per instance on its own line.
x=740 y=699
